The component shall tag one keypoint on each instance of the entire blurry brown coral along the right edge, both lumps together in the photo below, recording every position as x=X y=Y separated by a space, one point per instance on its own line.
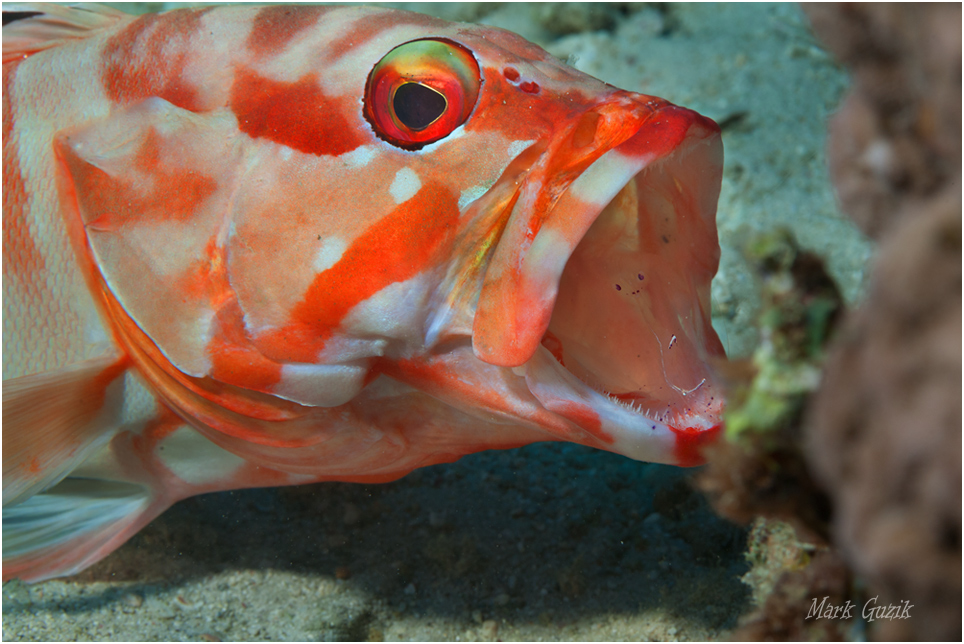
x=884 y=432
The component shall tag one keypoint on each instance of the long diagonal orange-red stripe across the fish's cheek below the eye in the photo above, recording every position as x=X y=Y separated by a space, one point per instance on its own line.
x=398 y=247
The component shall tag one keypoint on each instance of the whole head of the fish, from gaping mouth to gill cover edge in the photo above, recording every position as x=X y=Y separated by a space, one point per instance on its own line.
x=367 y=195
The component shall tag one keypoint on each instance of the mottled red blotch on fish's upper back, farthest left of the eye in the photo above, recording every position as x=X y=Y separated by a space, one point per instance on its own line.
x=147 y=58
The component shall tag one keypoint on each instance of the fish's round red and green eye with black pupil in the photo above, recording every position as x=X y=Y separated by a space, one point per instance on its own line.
x=421 y=91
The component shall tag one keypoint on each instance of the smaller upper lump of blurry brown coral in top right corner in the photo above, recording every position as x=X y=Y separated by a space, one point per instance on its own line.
x=898 y=135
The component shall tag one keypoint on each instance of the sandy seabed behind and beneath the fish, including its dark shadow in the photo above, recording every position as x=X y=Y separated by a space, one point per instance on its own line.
x=548 y=542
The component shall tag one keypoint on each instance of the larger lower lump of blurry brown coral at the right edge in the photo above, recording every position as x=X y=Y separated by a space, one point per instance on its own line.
x=885 y=432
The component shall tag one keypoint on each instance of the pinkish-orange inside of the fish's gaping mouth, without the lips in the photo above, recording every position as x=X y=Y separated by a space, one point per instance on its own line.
x=632 y=316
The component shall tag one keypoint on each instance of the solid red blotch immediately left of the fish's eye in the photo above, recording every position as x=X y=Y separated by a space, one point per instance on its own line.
x=298 y=115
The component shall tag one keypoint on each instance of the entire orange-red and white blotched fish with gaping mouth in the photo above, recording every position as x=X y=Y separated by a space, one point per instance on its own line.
x=248 y=246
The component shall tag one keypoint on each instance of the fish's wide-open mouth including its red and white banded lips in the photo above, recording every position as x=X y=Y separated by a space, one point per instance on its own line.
x=616 y=288
